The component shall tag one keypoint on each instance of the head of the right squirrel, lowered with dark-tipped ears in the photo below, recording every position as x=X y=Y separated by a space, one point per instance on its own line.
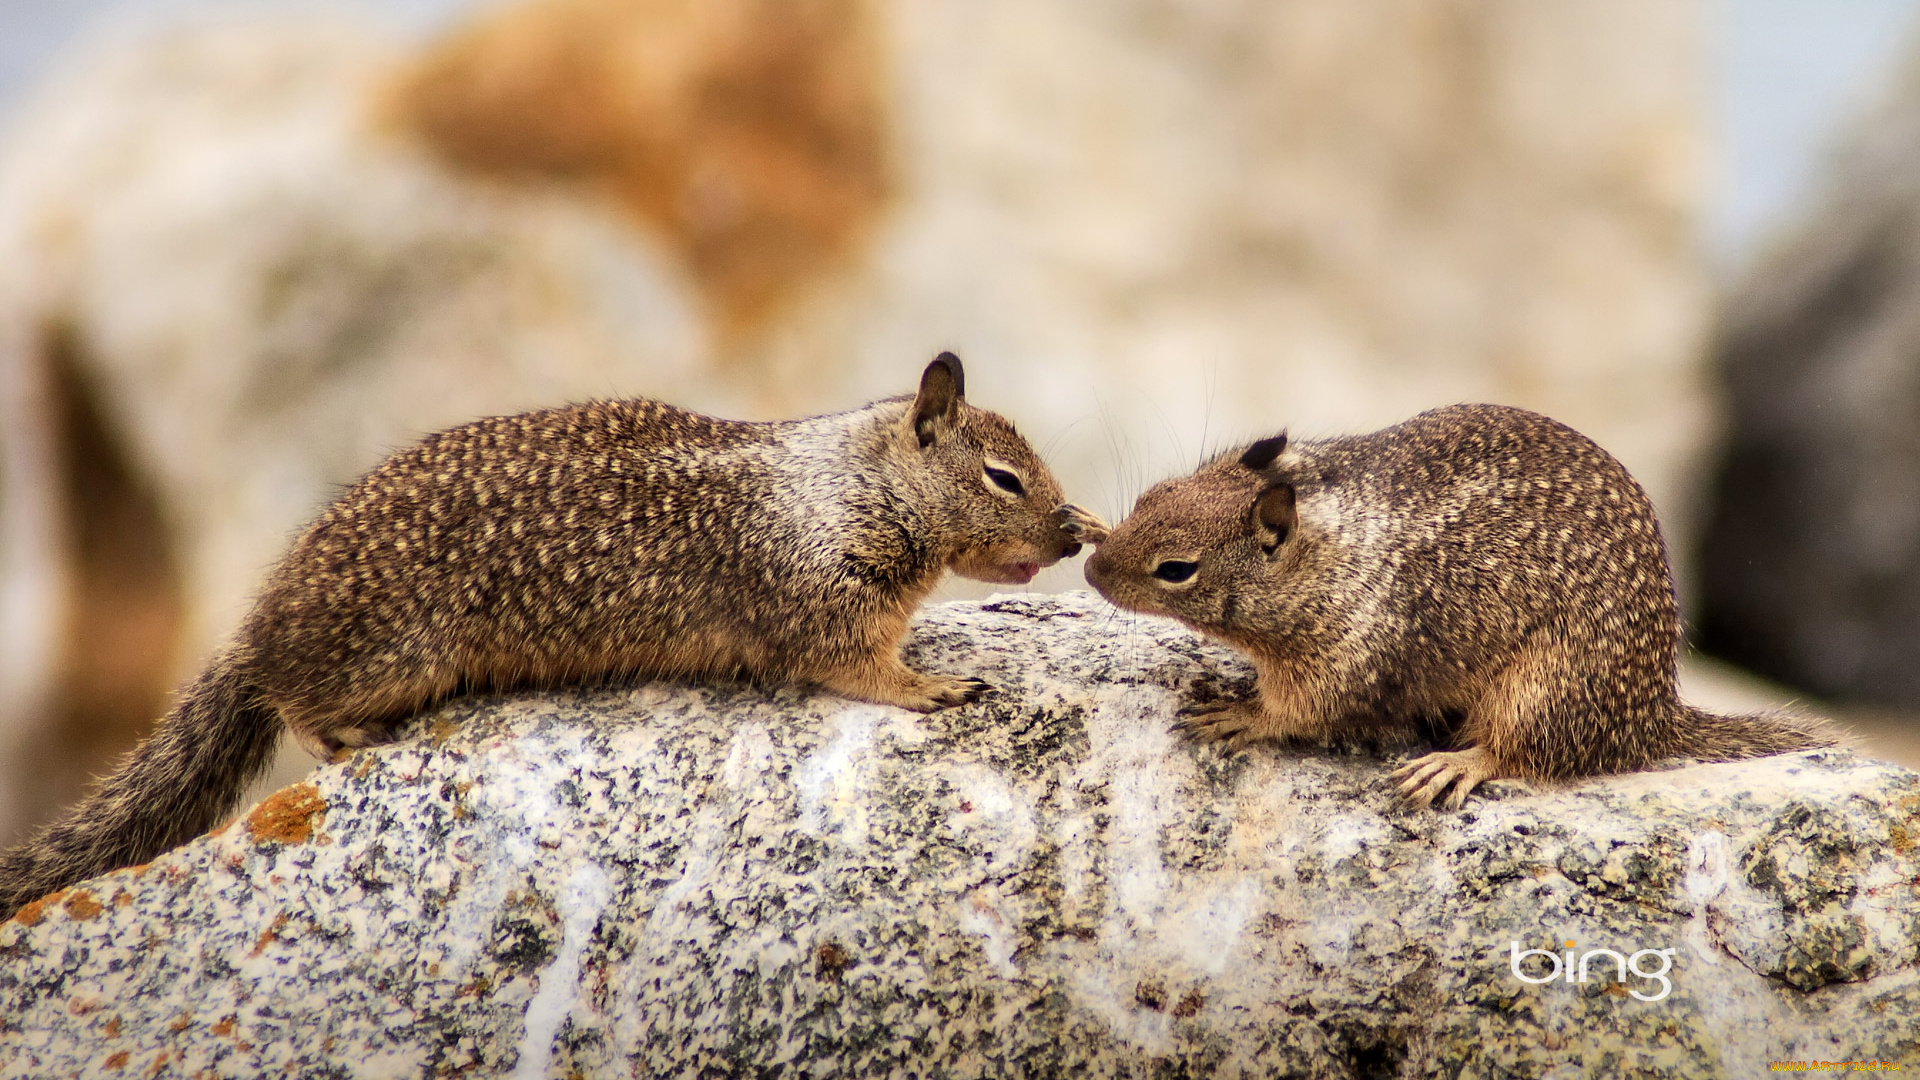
x=1195 y=547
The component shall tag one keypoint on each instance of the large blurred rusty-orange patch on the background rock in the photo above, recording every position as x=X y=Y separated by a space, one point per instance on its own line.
x=750 y=135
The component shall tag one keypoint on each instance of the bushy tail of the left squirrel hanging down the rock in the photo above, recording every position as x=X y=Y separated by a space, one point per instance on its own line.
x=170 y=789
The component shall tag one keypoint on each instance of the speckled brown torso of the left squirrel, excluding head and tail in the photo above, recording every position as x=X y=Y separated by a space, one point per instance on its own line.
x=608 y=537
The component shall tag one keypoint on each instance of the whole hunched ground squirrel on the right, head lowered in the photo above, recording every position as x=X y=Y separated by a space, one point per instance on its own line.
x=1477 y=566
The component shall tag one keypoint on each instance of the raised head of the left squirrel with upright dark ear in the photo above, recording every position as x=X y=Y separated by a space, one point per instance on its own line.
x=1001 y=503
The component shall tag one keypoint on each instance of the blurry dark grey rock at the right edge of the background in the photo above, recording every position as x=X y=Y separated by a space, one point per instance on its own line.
x=1812 y=558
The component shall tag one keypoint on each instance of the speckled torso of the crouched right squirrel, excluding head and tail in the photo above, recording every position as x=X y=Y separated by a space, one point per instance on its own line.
x=1500 y=529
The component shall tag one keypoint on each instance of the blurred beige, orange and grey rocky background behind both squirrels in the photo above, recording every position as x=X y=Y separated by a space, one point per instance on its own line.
x=247 y=251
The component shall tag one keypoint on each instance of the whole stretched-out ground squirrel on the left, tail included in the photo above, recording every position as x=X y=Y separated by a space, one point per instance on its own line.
x=617 y=539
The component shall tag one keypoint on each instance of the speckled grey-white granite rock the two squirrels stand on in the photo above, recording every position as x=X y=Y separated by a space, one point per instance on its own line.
x=675 y=881
